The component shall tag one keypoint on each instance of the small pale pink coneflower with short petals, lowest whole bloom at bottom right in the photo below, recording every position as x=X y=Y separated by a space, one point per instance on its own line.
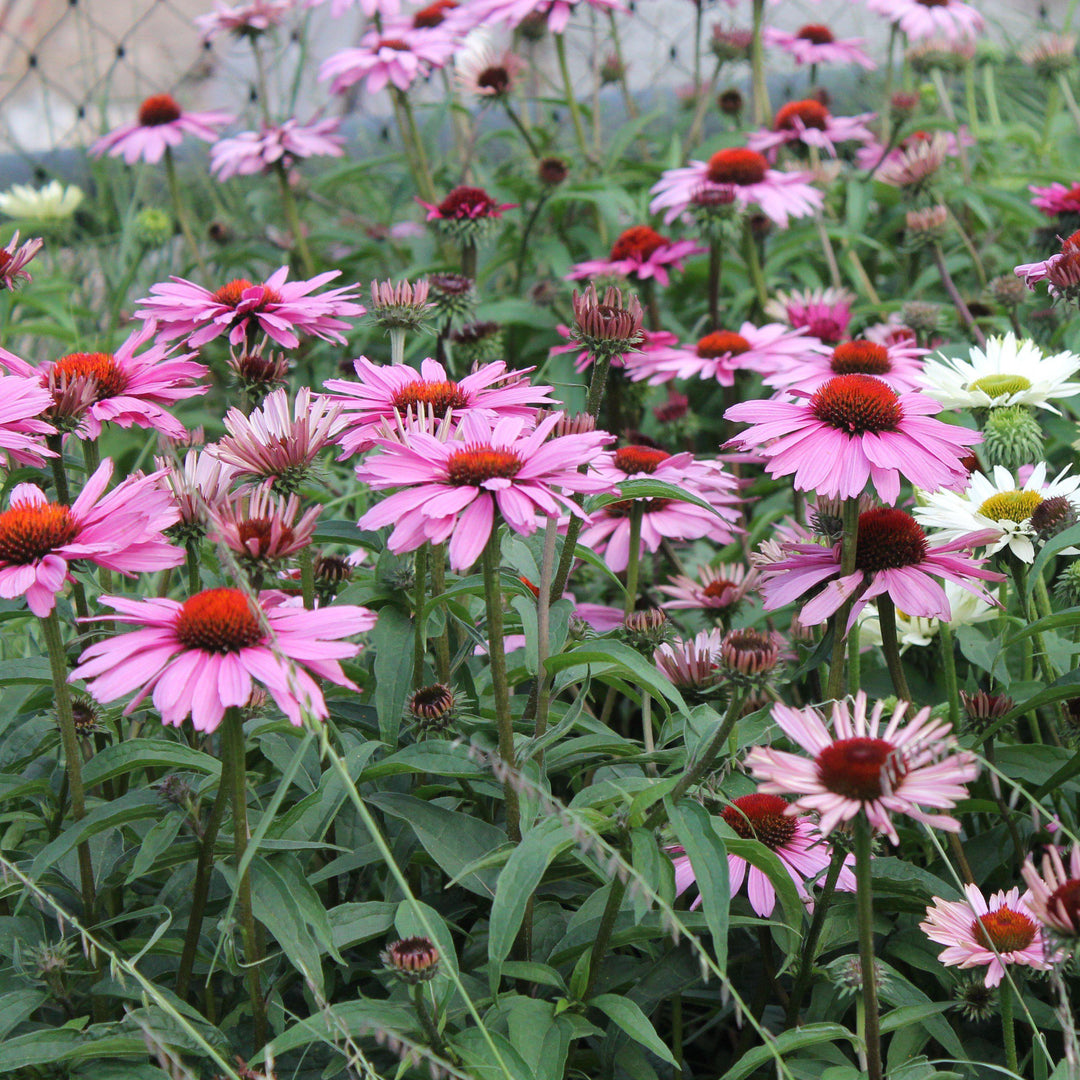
x=994 y=936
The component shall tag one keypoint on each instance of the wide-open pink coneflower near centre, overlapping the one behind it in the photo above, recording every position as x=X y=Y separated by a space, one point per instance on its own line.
x=452 y=489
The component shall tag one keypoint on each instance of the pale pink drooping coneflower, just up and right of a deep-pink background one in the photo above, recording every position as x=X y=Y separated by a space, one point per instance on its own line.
x=746 y=177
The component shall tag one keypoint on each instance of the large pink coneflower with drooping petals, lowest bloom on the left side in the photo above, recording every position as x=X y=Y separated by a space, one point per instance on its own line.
x=205 y=656
